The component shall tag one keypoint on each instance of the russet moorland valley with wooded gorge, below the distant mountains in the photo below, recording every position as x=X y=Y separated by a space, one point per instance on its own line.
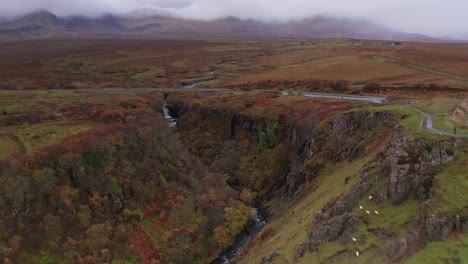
x=356 y=151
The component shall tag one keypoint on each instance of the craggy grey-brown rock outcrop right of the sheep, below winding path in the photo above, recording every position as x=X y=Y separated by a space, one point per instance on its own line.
x=408 y=164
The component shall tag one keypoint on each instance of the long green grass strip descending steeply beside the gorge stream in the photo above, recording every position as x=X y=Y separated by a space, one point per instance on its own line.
x=294 y=223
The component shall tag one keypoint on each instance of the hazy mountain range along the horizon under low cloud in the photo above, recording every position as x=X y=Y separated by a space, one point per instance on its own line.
x=149 y=23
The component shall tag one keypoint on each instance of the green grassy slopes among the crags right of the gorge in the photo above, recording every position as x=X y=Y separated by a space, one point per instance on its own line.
x=290 y=228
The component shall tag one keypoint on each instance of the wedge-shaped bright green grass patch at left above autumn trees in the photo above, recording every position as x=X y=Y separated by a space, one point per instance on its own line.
x=44 y=134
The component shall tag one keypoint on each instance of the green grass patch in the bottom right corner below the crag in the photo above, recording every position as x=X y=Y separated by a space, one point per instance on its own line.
x=450 y=251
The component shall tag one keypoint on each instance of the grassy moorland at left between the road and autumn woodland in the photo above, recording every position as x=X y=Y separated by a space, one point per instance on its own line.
x=30 y=137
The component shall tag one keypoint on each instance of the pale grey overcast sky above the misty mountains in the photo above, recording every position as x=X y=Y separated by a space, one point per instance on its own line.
x=440 y=18
